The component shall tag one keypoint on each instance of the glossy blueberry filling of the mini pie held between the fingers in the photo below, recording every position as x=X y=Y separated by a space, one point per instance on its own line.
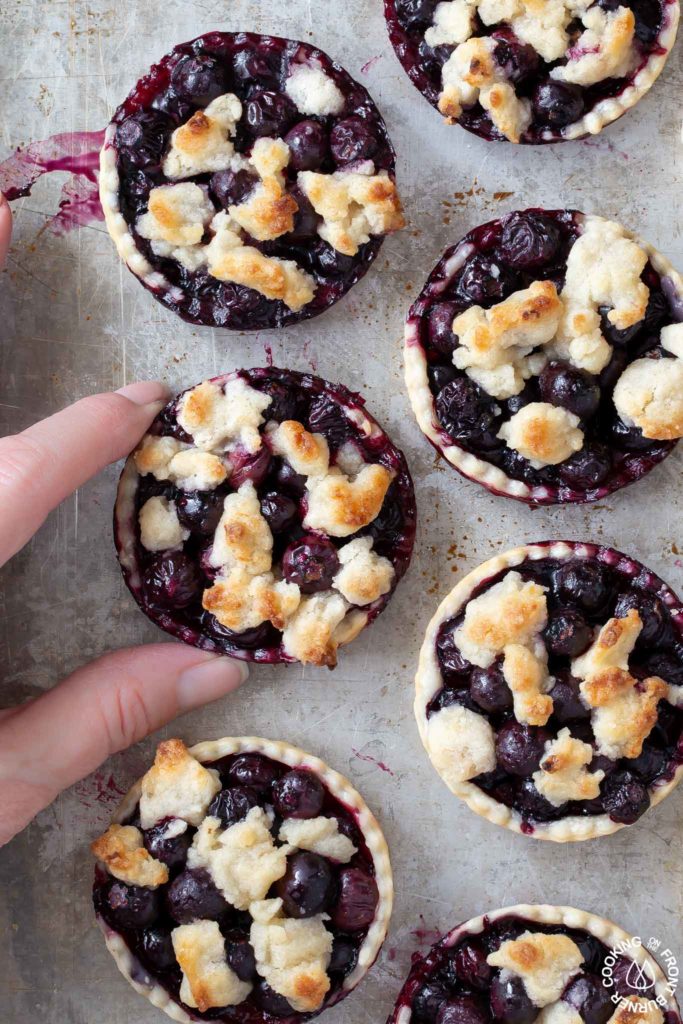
x=172 y=584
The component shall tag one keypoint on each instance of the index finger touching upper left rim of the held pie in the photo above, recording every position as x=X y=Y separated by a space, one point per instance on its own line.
x=45 y=464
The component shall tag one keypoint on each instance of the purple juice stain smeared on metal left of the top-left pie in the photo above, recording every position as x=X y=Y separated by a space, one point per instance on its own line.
x=77 y=154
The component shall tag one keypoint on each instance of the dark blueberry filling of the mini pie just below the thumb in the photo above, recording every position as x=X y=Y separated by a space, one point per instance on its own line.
x=313 y=885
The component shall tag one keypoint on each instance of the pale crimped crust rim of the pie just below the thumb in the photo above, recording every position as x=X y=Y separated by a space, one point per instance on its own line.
x=215 y=750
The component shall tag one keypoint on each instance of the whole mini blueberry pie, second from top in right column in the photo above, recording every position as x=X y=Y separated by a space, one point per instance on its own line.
x=544 y=357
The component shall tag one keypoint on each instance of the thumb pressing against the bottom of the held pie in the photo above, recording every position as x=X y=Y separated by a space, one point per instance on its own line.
x=57 y=740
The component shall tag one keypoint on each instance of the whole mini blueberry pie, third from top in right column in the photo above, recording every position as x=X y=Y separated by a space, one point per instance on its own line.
x=549 y=695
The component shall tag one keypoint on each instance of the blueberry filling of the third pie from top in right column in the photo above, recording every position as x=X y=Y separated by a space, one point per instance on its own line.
x=582 y=595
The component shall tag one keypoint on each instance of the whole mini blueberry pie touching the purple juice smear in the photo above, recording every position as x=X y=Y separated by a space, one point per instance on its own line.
x=248 y=182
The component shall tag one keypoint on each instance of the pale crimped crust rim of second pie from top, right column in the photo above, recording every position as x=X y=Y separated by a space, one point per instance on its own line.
x=423 y=403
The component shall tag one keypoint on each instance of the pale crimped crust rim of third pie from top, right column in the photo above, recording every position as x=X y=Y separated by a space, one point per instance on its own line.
x=429 y=682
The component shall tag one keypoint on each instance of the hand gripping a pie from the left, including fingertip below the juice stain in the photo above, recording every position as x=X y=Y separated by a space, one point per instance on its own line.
x=56 y=740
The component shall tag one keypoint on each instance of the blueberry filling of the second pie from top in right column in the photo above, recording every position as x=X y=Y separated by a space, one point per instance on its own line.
x=504 y=257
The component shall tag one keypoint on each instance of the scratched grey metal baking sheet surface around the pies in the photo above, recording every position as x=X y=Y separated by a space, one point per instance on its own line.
x=74 y=322
